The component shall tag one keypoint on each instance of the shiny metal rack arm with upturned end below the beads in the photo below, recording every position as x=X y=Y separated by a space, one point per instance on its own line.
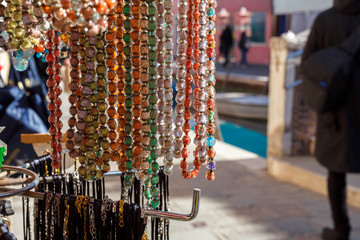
x=178 y=216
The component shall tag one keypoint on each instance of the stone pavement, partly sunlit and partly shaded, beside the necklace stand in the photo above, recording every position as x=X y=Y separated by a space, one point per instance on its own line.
x=244 y=202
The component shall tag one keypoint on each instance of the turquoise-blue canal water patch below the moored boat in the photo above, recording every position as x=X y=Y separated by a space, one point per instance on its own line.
x=244 y=138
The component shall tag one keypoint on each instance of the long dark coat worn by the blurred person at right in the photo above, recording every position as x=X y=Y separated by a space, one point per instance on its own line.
x=338 y=132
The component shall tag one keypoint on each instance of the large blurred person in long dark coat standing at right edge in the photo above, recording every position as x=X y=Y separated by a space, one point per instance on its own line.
x=338 y=128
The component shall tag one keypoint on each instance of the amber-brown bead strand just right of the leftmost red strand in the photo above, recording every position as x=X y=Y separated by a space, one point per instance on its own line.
x=74 y=88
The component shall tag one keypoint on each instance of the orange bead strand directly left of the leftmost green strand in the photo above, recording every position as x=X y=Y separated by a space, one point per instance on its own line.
x=120 y=47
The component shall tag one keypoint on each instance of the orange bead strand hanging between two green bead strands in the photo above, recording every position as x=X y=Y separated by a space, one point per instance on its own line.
x=136 y=99
